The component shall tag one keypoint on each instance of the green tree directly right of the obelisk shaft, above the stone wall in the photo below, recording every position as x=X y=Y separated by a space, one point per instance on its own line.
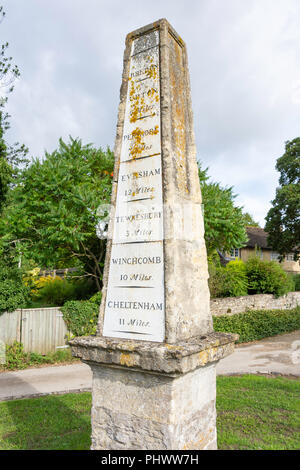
x=223 y=221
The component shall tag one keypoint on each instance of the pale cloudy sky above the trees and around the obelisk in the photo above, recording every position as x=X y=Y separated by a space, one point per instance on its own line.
x=244 y=61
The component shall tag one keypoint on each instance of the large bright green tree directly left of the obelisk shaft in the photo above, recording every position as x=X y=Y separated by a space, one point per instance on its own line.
x=52 y=210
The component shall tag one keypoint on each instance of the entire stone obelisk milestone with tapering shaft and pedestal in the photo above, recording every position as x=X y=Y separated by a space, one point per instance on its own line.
x=155 y=353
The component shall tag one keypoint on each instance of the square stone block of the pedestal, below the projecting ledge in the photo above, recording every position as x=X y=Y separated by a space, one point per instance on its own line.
x=144 y=411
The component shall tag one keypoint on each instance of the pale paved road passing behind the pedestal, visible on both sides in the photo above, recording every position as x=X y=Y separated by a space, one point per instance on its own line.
x=277 y=355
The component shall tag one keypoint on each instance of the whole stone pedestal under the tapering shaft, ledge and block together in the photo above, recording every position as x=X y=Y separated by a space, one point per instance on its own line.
x=153 y=395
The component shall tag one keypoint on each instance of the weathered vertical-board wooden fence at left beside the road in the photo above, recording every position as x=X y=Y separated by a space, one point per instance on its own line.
x=41 y=330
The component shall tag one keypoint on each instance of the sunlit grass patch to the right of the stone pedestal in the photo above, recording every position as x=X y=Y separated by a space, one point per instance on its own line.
x=258 y=413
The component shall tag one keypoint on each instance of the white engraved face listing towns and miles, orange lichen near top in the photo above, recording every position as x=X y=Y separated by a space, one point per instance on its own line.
x=135 y=292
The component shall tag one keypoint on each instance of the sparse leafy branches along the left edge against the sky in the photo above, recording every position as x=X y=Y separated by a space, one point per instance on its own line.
x=11 y=156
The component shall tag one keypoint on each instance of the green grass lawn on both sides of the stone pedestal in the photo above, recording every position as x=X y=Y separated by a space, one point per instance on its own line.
x=254 y=412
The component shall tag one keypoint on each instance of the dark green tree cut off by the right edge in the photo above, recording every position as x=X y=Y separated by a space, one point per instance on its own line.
x=283 y=219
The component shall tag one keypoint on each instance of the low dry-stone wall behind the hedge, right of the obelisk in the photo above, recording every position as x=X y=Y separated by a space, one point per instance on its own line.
x=234 y=305
